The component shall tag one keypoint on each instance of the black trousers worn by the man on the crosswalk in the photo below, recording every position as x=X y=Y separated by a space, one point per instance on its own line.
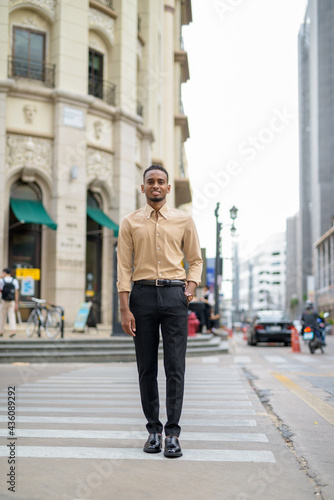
x=166 y=307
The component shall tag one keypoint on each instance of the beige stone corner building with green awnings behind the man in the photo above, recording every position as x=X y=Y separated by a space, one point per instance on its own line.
x=90 y=95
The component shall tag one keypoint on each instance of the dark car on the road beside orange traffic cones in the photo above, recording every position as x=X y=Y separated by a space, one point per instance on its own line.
x=270 y=326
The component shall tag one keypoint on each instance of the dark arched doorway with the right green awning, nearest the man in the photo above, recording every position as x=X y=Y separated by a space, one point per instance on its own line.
x=94 y=257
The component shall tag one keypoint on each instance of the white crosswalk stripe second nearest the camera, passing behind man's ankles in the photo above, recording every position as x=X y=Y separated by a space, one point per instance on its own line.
x=142 y=435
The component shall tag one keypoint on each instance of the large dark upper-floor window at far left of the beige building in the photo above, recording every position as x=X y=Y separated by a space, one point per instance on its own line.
x=28 y=54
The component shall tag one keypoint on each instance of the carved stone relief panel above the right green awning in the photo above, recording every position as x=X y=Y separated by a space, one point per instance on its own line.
x=99 y=168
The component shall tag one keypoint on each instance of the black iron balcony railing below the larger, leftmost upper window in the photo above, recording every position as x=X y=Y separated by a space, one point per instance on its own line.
x=32 y=70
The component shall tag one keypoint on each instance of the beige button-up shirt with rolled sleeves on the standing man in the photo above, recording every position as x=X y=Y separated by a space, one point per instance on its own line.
x=153 y=248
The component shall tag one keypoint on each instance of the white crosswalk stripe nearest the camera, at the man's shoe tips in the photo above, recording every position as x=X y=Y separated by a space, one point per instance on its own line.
x=191 y=455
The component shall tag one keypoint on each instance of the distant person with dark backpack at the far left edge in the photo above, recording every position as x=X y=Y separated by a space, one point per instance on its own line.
x=9 y=288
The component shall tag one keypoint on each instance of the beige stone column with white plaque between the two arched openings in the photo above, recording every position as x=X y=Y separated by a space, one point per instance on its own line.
x=66 y=278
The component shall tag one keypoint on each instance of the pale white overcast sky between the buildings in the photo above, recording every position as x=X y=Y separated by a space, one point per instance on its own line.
x=242 y=105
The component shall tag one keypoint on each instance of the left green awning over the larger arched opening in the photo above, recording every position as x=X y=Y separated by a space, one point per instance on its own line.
x=31 y=211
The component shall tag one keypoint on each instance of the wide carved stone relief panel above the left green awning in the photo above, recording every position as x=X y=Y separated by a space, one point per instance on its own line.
x=29 y=152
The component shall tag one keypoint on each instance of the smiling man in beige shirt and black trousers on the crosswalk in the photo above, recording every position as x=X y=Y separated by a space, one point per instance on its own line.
x=152 y=243
